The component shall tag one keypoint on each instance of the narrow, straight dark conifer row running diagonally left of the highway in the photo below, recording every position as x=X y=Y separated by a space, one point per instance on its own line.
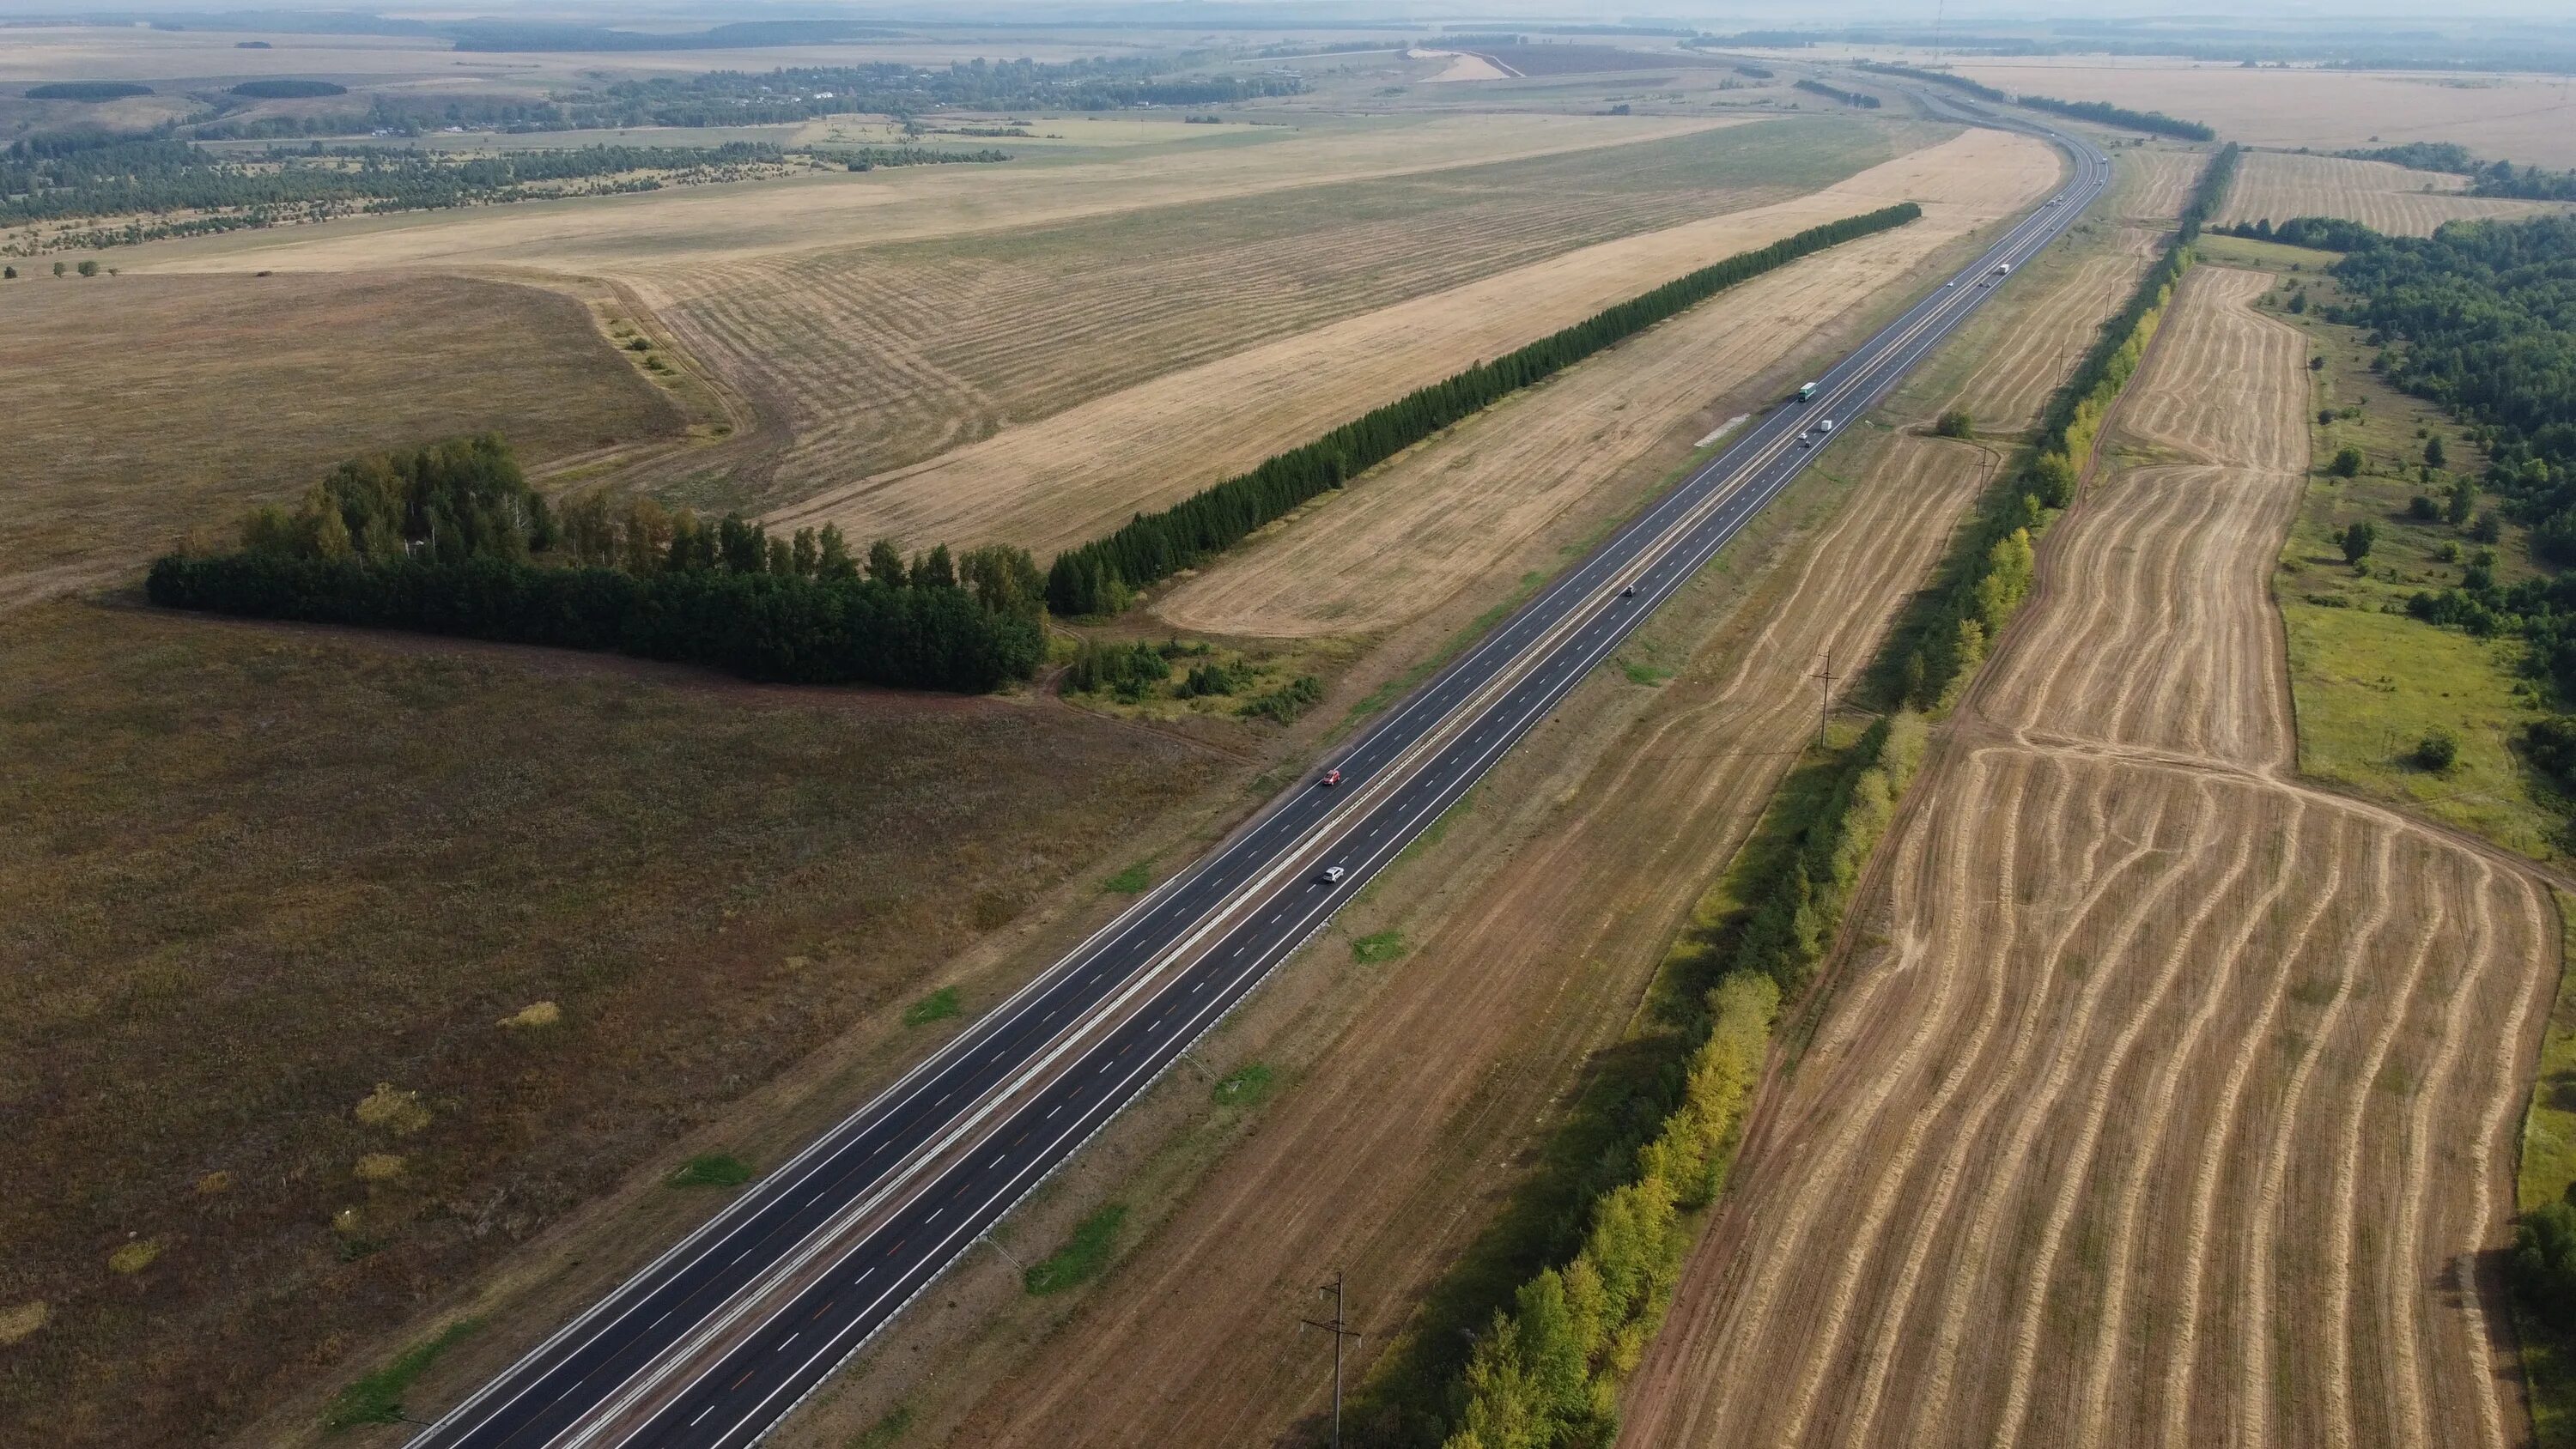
x=1104 y=575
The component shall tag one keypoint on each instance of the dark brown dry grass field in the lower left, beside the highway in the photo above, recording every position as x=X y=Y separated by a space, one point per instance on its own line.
x=272 y=892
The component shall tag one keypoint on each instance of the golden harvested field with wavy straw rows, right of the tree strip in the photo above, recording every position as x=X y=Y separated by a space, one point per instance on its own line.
x=2170 y=1100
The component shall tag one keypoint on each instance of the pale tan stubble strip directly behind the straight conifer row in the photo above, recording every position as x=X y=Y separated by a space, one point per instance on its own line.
x=1086 y=470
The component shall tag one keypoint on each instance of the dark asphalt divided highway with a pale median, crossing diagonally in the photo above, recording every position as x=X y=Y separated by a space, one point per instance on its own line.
x=728 y=1332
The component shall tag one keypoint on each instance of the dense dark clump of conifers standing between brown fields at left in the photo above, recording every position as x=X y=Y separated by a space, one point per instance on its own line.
x=452 y=539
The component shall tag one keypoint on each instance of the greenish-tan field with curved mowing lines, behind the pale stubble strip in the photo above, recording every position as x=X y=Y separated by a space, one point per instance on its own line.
x=877 y=356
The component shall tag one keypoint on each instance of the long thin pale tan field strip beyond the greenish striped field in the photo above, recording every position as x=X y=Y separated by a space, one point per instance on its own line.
x=674 y=233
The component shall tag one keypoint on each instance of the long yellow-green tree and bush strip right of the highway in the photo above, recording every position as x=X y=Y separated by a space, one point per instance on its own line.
x=1549 y=1365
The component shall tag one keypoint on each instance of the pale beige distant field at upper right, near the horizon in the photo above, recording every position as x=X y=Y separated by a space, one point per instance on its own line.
x=2521 y=120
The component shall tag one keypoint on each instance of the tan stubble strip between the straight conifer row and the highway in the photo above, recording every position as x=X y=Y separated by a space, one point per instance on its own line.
x=1416 y=531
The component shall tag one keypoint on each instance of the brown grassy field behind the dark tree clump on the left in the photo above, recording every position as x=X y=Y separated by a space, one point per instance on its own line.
x=148 y=405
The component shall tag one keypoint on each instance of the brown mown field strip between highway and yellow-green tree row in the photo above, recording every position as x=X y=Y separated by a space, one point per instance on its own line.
x=1452 y=1075
